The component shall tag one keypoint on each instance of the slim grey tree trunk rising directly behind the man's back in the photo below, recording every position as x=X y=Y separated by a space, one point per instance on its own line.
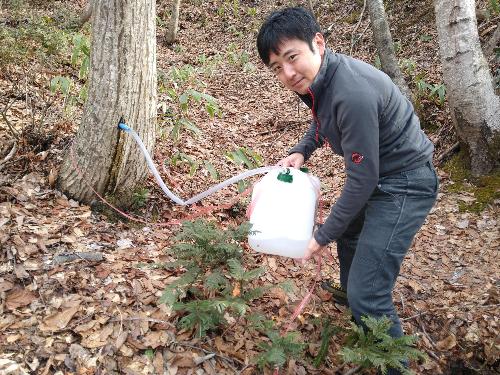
x=385 y=45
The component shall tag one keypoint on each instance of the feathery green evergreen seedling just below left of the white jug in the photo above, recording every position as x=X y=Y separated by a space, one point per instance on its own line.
x=215 y=285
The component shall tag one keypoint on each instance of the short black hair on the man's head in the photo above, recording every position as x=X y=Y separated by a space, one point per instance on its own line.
x=286 y=24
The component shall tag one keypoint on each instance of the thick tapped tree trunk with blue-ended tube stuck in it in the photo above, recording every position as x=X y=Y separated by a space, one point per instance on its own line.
x=122 y=82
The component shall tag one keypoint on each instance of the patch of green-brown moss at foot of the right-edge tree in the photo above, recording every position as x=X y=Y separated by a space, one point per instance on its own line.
x=486 y=189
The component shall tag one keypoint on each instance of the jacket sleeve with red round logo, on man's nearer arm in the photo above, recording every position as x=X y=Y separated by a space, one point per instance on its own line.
x=359 y=127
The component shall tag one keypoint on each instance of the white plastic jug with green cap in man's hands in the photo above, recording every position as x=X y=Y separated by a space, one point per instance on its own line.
x=282 y=212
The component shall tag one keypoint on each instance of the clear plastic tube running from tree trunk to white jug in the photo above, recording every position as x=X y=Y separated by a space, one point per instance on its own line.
x=199 y=196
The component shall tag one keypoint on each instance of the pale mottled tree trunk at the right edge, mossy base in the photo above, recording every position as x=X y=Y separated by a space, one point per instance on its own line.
x=474 y=106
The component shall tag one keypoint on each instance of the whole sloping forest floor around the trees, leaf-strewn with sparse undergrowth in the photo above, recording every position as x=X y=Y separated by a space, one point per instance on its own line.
x=80 y=290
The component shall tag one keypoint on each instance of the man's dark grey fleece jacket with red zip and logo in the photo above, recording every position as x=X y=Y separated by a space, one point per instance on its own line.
x=364 y=117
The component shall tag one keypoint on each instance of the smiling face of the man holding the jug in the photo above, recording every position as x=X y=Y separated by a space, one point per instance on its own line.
x=296 y=65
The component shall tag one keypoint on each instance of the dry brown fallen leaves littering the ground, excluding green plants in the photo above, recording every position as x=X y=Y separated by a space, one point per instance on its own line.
x=63 y=311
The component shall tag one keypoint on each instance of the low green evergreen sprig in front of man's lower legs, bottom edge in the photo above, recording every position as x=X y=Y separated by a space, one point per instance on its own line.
x=373 y=347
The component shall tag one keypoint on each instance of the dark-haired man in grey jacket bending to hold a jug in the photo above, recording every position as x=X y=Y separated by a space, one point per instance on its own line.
x=391 y=184
